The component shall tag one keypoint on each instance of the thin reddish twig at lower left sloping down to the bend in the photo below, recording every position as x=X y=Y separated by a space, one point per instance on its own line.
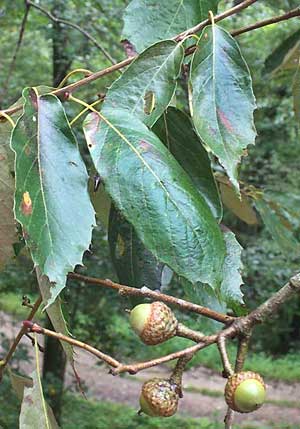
x=34 y=327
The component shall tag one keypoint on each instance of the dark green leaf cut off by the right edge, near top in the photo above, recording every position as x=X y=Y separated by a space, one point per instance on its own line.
x=284 y=55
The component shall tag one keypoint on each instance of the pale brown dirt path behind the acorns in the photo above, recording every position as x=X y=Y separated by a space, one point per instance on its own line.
x=201 y=388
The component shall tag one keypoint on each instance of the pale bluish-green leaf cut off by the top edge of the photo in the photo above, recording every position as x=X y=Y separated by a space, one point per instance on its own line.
x=146 y=22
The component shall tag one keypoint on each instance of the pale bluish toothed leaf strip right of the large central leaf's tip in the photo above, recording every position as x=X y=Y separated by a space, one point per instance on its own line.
x=231 y=292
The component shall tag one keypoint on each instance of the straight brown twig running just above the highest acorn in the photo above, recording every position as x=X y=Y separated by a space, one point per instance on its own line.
x=148 y=293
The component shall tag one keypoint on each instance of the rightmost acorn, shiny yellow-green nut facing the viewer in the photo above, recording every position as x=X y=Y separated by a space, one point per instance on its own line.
x=245 y=392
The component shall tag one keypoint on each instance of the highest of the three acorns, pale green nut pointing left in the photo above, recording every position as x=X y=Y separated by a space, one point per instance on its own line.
x=154 y=323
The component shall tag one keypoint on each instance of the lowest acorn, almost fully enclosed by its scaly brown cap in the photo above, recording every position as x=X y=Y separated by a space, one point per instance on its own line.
x=159 y=398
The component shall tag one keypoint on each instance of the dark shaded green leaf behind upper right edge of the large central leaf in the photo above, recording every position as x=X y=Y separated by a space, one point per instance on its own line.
x=175 y=130
